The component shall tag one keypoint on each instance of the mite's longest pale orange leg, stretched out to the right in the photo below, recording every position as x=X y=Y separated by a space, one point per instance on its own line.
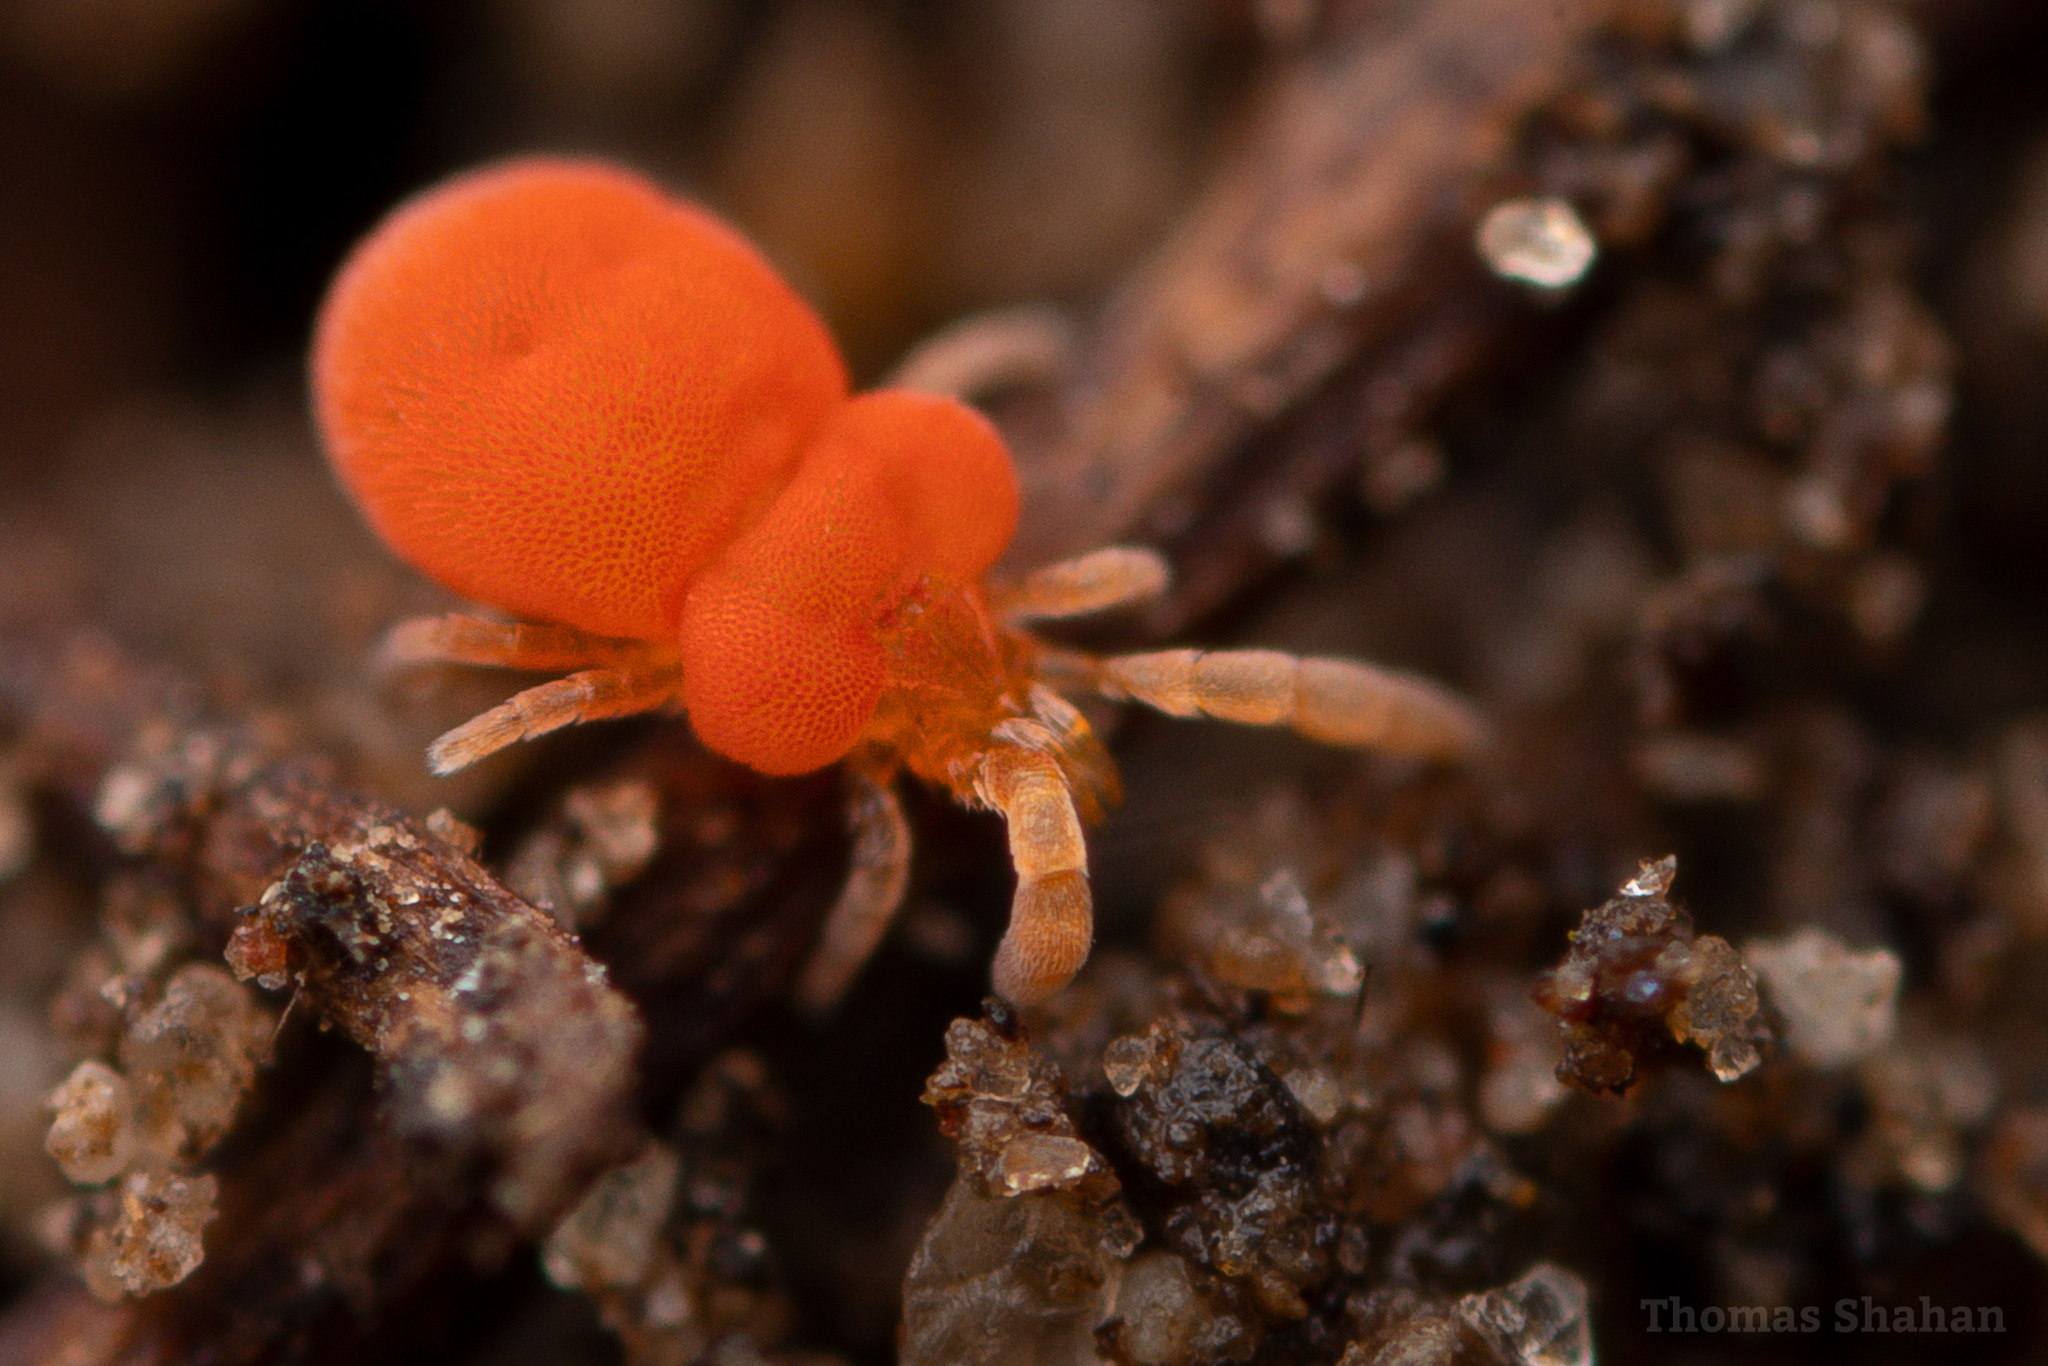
x=1336 y=701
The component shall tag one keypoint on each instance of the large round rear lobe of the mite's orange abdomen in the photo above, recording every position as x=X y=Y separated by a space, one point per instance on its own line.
x=556 y=390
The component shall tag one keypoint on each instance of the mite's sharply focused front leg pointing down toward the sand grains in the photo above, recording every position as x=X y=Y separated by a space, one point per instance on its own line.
x=1052 y=914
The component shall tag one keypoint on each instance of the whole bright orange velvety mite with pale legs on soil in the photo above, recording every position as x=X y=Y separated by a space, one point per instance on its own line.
x=556 y=390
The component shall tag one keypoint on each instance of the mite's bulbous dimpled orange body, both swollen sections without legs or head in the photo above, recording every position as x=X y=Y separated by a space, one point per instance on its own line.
x=560 y=392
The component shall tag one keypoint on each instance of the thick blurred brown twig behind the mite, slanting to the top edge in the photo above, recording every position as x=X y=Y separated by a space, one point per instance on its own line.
x=1338 y=237
